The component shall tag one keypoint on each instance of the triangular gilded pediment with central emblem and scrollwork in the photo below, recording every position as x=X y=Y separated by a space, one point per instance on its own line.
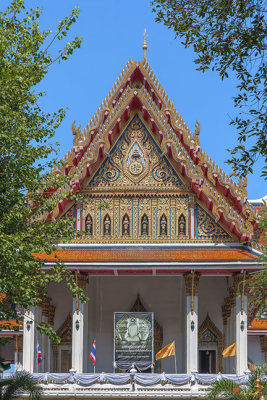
x=136 y=163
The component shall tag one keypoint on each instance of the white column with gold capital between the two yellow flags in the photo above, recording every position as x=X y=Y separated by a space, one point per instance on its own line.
x=191 y=283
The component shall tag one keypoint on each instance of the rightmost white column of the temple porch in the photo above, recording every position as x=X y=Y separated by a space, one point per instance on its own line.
x=241 y=335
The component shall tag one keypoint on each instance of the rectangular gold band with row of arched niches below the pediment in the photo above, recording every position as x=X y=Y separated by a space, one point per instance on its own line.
x=135 y=208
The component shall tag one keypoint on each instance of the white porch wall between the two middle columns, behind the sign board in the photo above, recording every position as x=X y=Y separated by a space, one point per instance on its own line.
x=162 y=295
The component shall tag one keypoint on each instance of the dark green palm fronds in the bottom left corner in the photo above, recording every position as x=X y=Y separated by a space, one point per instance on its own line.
x=21 y=382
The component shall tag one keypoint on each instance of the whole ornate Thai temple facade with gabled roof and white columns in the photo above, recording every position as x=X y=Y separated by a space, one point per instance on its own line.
x=162 y=229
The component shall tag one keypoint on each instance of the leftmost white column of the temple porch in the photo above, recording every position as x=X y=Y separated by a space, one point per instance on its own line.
x=29 y=340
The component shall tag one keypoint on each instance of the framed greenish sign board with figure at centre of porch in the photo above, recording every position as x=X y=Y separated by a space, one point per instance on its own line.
x=133 y=337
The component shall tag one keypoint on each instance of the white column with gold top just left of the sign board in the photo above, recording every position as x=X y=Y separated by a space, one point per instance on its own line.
x=77 y=336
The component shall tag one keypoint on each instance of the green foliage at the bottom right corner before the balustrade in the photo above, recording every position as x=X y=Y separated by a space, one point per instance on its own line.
x=230 y=390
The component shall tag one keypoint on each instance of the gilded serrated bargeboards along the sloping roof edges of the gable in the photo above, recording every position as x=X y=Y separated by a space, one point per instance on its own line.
x=169 y=122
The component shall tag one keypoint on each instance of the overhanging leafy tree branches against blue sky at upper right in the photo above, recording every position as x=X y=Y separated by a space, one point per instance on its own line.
x=229 y=36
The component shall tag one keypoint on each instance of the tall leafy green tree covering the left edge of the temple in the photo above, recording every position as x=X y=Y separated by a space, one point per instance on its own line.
x=27 y=191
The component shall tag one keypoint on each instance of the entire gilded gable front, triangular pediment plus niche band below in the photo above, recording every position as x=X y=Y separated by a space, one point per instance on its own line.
x=154 y=189
